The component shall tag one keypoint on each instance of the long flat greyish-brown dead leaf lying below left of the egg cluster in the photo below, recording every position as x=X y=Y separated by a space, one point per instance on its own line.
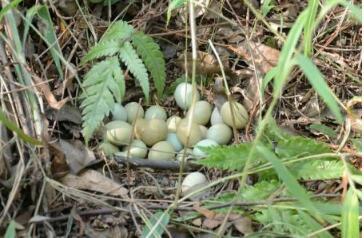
x=95 y=181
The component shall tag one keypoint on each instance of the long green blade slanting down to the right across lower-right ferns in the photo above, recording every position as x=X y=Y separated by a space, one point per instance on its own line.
x=290 y=181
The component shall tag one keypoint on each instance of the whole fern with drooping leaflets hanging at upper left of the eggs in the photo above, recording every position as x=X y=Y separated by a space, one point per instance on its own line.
x=104 y=84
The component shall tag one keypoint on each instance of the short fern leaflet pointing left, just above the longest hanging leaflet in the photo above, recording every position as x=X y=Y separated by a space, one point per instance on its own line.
x=104 y=48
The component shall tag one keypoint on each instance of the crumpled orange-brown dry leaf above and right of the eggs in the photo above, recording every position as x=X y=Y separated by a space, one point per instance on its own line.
x=265 y=57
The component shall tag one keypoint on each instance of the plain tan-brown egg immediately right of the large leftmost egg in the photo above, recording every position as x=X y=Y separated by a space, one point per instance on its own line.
x=152 y=131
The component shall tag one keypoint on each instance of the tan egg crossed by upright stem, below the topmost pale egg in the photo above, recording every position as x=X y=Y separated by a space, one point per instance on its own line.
x=182 y=133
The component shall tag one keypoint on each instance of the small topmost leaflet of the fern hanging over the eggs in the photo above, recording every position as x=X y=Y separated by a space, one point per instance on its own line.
x=119 y=30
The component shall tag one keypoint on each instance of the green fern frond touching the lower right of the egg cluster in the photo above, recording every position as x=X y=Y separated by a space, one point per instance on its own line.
x=230 y=158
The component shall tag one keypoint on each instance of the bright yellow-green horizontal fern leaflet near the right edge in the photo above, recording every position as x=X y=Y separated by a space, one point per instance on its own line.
x=318 y=170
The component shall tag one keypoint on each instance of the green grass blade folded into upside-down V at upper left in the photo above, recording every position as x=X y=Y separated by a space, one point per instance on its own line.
x=47 y=30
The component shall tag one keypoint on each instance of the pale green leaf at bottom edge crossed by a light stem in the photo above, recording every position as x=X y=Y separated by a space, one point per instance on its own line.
x=156 y=225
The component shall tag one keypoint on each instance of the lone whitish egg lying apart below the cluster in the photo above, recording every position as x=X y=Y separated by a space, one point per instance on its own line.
x=193 y=182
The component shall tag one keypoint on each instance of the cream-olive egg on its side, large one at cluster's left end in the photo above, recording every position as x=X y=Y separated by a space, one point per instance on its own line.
x=118 y=132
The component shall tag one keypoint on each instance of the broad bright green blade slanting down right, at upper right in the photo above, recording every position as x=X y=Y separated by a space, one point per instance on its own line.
x=319 y=84
